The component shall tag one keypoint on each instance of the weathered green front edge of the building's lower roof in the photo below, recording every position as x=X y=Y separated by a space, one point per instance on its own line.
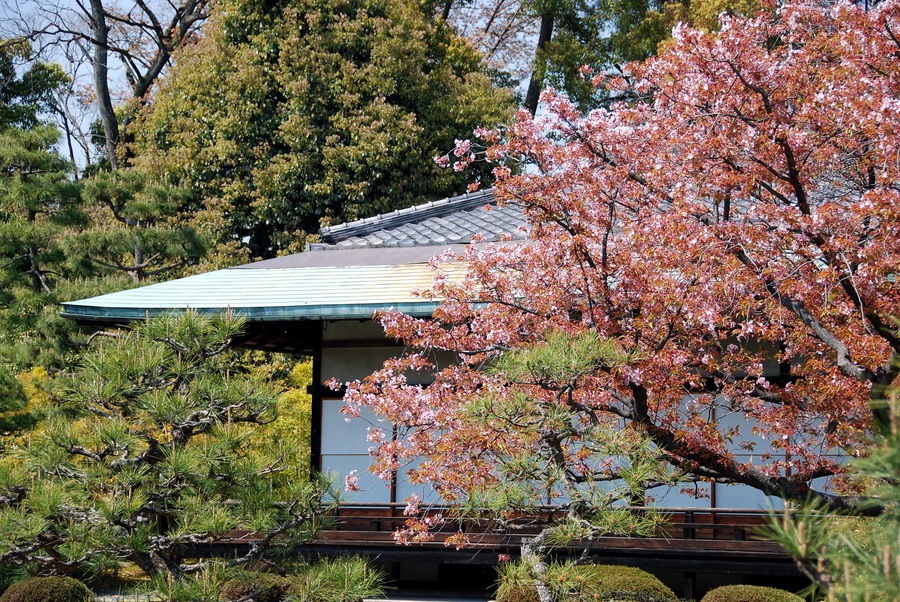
x=362 y=311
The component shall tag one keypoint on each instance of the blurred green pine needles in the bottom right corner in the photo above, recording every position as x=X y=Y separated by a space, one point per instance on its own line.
x=854 y=558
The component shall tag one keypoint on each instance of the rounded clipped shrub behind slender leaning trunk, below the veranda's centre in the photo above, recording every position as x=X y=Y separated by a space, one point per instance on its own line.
x=570 y=581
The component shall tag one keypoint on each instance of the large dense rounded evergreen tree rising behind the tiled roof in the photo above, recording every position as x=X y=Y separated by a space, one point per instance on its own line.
x=286 y=114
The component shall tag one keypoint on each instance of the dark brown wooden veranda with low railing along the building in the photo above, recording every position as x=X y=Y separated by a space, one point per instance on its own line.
x=692 y=541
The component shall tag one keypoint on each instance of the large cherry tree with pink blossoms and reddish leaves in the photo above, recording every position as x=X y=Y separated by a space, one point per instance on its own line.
x=733 y=235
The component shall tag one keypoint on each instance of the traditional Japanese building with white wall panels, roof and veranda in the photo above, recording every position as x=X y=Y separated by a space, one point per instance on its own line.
x=321 y=302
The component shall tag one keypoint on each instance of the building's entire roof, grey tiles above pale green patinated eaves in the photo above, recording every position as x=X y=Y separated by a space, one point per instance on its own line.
x=359 y=268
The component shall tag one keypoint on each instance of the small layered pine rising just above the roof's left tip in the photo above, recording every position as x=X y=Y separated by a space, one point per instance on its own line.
x=137 y=230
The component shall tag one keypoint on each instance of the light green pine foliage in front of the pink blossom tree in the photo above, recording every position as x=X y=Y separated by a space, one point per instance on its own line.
x=589 y=465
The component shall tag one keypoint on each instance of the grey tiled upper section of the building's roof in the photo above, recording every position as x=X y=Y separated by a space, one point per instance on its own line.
x=447 y=221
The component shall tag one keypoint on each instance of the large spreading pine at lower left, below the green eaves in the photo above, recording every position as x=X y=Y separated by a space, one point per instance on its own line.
x=149 y=451
